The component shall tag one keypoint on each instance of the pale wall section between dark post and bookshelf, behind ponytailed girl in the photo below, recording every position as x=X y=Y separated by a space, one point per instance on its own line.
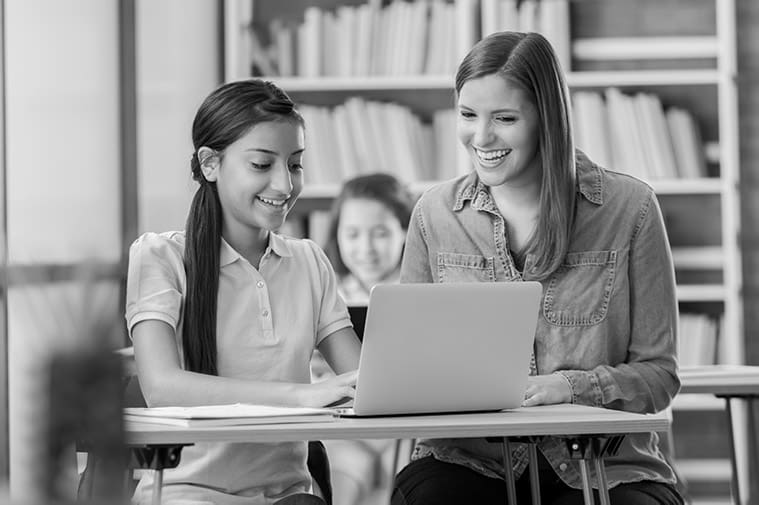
x=178 y=62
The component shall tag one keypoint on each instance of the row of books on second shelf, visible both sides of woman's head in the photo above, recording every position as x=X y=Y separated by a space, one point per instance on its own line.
x=631 y=134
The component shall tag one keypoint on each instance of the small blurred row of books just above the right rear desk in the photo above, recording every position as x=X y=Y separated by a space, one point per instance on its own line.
x=698 y=339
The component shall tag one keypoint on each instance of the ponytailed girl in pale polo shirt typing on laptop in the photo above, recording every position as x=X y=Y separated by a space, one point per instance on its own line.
x=228 y=311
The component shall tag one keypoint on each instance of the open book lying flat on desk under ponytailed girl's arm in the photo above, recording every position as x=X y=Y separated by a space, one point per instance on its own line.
x=227 y=415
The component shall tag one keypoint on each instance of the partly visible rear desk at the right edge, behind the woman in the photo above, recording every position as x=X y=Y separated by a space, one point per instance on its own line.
x=731 y=382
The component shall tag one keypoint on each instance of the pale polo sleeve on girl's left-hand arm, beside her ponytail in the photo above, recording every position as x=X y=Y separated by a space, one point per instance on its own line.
x=155 y=279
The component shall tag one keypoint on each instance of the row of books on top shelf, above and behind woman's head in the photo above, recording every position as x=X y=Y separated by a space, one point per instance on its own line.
x=400 y=38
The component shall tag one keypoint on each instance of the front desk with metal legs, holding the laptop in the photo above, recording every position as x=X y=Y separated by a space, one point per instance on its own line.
x=585 y=429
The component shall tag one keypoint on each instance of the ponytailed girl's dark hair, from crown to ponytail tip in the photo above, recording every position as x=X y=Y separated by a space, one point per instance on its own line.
x=225 y=115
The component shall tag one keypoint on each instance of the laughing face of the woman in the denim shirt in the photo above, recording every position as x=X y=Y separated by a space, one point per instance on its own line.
x=498 y=126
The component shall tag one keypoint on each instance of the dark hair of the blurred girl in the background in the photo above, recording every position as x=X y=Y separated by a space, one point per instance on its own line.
x=383 y=188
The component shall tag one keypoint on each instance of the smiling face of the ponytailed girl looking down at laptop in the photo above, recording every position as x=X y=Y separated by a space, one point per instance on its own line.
x=260 y=176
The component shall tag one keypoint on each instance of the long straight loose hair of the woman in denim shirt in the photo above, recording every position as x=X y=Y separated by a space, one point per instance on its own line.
x=528 y=61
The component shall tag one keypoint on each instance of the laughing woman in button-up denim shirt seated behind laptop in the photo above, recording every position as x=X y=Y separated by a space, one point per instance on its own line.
x=535 y=209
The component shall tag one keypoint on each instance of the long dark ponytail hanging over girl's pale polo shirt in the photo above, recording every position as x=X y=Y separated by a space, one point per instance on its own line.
x=201 y=260
